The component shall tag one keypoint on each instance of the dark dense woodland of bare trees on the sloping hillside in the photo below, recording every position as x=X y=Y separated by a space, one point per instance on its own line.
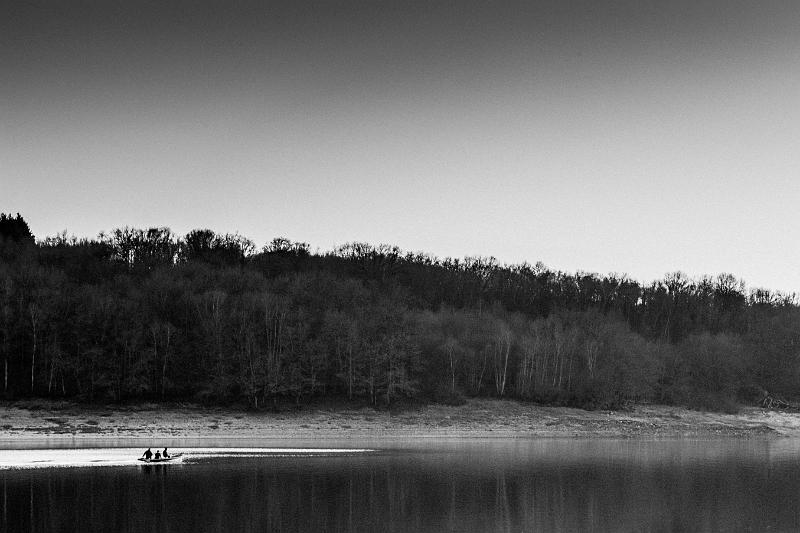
x=147 y=315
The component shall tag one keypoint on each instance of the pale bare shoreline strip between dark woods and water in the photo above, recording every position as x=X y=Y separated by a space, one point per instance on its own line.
x=475 y=419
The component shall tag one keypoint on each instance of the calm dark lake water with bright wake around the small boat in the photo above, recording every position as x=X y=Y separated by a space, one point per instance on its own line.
x=513 y=485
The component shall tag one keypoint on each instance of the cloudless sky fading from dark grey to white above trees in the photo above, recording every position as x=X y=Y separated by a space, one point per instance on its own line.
x=635 y=137
